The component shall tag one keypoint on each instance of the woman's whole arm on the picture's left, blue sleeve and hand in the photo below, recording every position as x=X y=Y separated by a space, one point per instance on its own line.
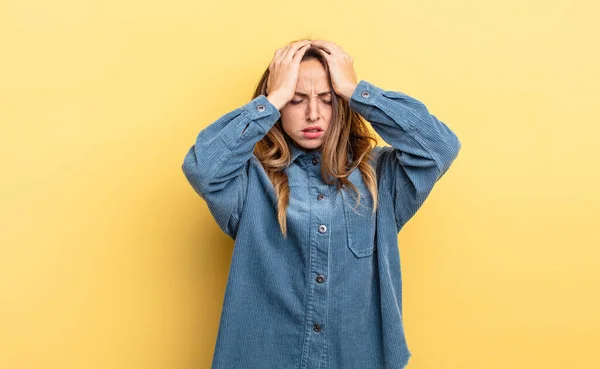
x=217 y=165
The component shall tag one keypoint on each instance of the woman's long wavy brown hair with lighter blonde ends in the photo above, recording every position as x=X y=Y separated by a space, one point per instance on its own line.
x=347 y=136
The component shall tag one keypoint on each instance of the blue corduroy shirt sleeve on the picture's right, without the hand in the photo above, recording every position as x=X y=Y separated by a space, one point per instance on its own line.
x=422 y=147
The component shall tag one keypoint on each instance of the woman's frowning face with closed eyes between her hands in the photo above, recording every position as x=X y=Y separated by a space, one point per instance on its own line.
x=307 y=116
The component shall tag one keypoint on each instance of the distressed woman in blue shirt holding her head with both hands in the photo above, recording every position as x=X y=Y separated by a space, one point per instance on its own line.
x=315 y=211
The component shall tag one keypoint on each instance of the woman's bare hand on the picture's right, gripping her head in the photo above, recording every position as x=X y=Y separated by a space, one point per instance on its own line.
x=341 y=68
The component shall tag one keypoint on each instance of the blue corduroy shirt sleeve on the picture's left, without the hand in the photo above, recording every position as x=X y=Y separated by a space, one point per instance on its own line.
x=217 y=164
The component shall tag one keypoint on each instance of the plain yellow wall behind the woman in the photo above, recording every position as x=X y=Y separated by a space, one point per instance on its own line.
x=110 y=260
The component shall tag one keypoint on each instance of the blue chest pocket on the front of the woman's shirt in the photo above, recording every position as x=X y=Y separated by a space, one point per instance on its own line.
x=360 y=221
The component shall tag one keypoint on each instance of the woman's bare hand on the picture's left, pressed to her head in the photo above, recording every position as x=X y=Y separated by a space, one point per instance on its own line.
x=283 y=73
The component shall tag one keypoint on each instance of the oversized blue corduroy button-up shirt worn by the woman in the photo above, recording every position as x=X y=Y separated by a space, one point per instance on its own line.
x=330 y=294
